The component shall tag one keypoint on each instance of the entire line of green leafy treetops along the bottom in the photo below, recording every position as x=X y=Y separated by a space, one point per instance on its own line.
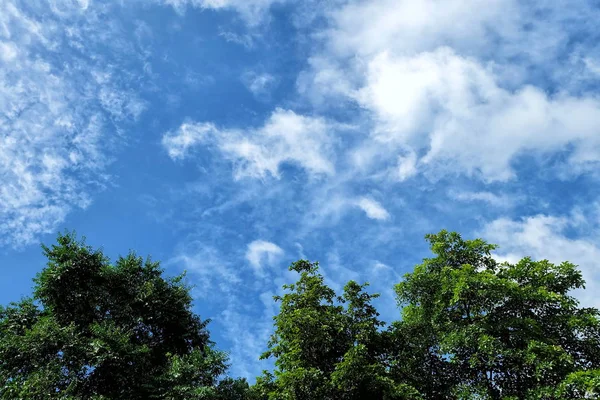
x=471 y=328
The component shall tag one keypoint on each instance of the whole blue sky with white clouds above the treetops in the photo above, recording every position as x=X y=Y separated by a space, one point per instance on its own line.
x=229 y=138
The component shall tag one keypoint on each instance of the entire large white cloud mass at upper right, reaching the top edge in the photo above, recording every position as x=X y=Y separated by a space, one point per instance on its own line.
x=451 y=95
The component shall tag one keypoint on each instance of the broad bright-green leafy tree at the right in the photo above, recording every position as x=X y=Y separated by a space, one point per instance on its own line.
x=501 y=330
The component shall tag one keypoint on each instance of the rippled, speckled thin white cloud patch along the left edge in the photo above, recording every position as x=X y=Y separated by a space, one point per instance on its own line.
x=53 y=117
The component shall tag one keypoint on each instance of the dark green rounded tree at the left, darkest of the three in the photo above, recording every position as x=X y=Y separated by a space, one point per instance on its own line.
x=99 y=331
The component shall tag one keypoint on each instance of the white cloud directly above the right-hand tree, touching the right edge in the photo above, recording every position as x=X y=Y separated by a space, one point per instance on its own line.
x=544 y=237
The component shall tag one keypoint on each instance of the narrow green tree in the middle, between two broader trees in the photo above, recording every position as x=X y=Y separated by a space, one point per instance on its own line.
x=324 y=350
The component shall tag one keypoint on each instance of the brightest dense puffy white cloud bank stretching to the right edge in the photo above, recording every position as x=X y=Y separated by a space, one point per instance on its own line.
x=453 y=107
